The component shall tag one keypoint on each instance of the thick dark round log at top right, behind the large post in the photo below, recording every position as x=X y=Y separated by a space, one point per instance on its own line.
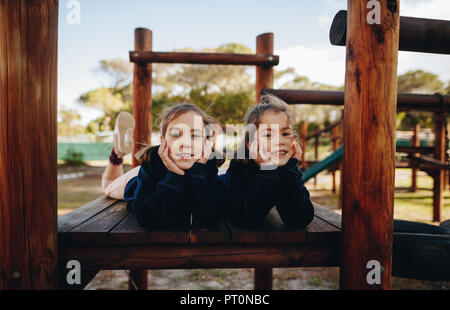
x=416 y=34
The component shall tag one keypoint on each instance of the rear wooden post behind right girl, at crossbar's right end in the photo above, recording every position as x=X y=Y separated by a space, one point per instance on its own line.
x=264 y=79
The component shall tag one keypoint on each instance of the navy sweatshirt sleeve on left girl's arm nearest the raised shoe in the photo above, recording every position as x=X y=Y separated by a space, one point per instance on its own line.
x=159 y=204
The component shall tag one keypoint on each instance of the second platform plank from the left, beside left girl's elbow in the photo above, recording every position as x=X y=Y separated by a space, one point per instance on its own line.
x=96 y=229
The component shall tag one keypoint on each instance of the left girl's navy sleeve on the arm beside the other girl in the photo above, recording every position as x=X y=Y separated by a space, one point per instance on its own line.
x=208 y=194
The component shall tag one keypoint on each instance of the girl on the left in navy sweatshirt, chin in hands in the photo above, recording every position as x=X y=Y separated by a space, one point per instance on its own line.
x=177 y=179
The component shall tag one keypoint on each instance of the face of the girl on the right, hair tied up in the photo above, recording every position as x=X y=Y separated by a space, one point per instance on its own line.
x=276 y=134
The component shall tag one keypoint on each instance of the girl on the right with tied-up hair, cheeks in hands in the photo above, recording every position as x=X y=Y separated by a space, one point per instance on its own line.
x=268 y=175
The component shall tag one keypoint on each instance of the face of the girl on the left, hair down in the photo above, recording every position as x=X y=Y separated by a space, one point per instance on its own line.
x=185 y=136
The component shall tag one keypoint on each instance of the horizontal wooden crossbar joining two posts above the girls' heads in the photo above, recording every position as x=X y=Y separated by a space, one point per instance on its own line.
x=147 y=56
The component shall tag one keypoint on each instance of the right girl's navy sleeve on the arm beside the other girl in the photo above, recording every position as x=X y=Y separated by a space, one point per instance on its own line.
x=250 y=204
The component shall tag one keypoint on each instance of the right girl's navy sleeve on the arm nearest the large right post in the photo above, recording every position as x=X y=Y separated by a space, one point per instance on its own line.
x=294 y=205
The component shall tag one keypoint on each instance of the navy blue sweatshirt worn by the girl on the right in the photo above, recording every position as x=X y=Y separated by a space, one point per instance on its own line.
x=253 y=192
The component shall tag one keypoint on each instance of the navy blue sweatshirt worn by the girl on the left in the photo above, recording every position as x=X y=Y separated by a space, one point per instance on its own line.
x=162 y=199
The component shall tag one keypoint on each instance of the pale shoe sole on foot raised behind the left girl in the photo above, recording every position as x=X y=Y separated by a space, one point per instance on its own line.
x=123 y=132
